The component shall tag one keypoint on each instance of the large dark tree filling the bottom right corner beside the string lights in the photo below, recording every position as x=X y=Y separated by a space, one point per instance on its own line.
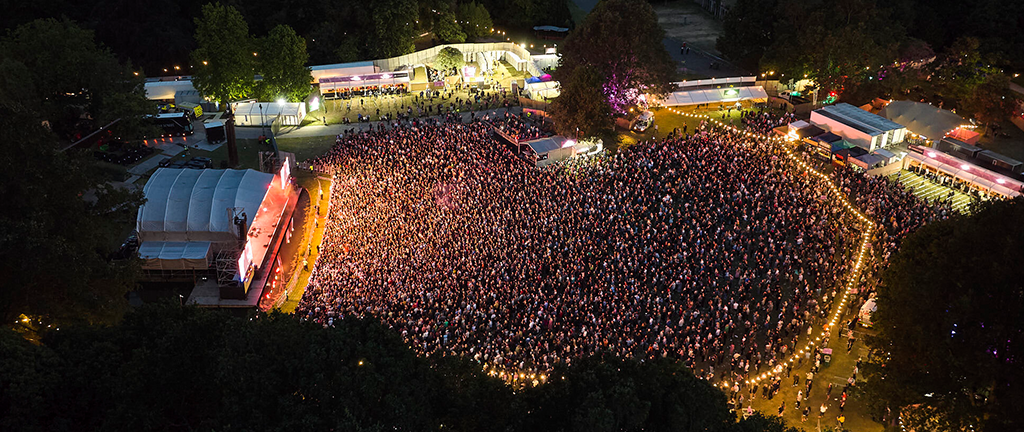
x=947 y=356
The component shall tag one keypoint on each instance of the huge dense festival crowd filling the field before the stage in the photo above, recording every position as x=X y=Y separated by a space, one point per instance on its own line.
x=708 y=249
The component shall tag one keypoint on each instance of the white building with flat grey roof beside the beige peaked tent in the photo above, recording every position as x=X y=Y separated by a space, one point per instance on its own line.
x=862 y=128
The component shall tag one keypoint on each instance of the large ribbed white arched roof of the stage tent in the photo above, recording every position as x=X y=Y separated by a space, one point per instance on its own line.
x=185 y=205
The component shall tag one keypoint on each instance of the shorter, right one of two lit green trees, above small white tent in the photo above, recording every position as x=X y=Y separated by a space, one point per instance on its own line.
x=282 y=65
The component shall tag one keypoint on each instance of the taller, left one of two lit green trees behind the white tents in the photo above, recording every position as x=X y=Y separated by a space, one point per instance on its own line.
x=225 y=60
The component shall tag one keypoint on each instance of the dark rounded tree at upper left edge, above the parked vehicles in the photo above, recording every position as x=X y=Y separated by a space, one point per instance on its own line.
x=57 y=72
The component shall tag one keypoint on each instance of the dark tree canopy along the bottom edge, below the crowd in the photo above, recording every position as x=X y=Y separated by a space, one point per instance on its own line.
x=168 y=369
